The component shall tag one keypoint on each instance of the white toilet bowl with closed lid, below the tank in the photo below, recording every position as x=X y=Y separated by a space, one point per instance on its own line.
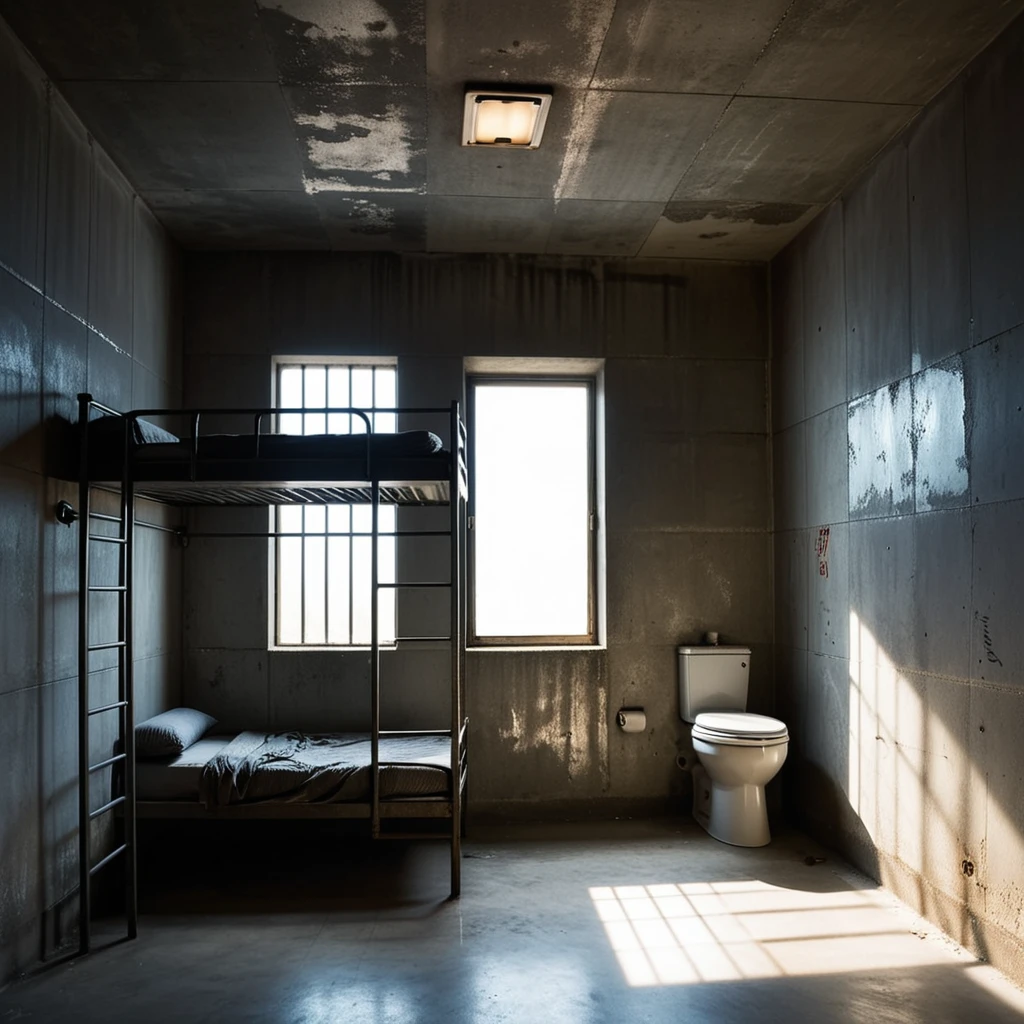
x=741 y=754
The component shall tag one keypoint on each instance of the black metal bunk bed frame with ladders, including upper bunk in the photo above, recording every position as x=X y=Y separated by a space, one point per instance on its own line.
x=190 y=478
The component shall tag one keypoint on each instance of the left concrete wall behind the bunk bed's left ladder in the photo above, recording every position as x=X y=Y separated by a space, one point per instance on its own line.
x=88 y=286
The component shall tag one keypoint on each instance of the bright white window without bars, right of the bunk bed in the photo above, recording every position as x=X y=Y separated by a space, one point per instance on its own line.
x=533 y=481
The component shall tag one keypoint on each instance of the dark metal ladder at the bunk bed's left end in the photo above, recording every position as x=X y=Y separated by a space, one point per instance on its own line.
x=124 y=757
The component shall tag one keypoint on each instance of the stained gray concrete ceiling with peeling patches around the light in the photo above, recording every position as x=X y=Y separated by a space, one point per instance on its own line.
x=709 y=129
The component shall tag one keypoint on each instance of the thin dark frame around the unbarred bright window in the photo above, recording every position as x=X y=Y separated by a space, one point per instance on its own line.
x=589 y=382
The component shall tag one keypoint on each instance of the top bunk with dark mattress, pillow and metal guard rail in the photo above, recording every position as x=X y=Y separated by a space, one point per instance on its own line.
x=266 y=467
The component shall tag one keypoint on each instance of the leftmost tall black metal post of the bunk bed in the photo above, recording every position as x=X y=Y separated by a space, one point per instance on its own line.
x=84 y=854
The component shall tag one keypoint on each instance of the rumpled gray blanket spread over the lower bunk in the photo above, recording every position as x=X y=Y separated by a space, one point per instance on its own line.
x=292 y=767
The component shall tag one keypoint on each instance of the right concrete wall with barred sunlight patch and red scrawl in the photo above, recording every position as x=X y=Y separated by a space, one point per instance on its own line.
x=899 y=385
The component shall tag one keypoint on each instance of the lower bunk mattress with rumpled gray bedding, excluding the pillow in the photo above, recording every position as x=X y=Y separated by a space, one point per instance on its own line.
x=253 y=769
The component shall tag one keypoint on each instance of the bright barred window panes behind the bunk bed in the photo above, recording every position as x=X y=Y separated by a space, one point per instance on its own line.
x=323 y=564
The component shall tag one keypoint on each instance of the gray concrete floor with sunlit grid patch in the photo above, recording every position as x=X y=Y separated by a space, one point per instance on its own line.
x=620 y=922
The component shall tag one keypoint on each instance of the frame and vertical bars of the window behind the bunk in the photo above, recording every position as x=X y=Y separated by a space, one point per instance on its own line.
x=279 y=364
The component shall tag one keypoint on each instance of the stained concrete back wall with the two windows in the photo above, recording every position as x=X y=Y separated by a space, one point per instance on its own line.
x=687 y=527
